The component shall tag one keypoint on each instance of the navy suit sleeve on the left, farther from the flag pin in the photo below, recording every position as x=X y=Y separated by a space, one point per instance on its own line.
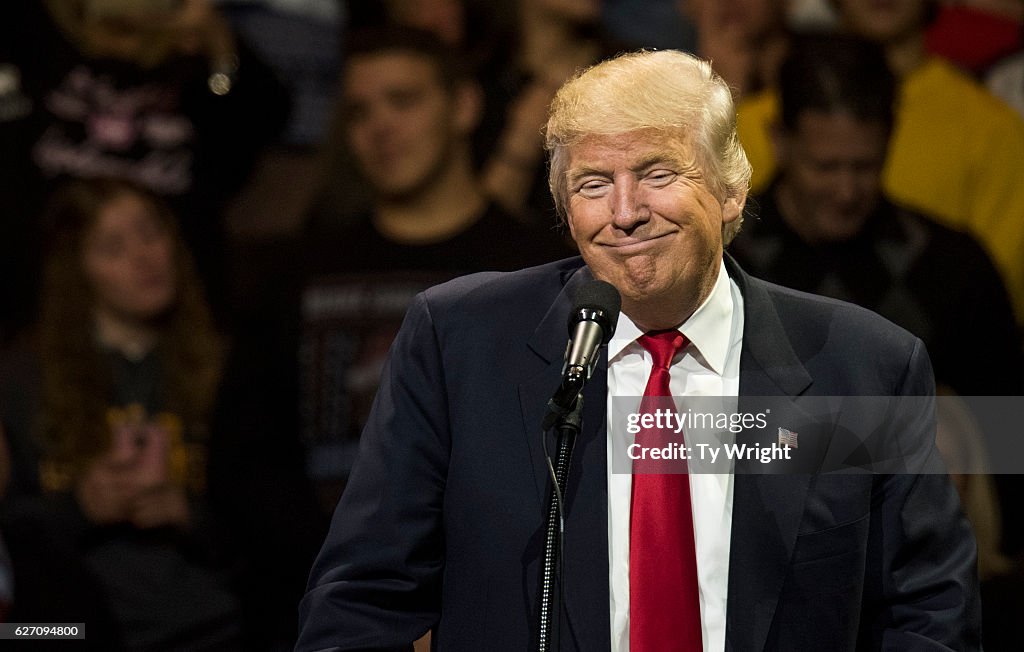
x=376 y=583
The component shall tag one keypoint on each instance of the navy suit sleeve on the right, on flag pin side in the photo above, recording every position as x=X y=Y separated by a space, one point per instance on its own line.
x=927 y=588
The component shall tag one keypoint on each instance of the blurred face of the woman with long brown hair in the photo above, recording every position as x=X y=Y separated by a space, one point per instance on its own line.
x=129 y=258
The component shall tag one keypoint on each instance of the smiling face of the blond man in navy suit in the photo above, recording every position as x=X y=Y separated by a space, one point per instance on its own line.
x=646 y=221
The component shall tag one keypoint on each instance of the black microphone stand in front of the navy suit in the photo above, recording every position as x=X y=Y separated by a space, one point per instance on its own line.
x=567 y=429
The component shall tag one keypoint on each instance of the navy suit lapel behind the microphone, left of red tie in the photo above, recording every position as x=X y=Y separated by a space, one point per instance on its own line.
x=586 y=547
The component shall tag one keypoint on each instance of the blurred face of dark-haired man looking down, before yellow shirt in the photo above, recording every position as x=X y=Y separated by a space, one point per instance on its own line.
x=832 y=175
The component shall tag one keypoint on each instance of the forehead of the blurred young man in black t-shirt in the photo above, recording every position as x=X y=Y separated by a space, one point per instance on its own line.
x=373 y=72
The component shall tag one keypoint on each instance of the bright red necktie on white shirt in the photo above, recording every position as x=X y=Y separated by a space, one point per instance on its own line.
x=665 y=607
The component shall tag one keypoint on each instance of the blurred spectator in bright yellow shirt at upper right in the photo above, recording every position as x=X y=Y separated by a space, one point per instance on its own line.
x=957 y=152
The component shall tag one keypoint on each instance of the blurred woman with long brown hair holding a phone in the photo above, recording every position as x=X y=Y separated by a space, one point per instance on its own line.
x=126 y=367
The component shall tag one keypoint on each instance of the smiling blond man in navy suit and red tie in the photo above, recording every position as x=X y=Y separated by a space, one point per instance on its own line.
x=442 y=527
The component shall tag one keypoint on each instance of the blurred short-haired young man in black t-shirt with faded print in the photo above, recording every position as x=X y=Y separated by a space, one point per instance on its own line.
x=410 y=111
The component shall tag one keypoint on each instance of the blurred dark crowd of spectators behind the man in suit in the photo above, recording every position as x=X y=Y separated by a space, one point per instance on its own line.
x=215 y=213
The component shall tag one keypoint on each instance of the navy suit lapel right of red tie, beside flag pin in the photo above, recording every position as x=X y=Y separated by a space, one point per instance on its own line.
x=767 y=509
